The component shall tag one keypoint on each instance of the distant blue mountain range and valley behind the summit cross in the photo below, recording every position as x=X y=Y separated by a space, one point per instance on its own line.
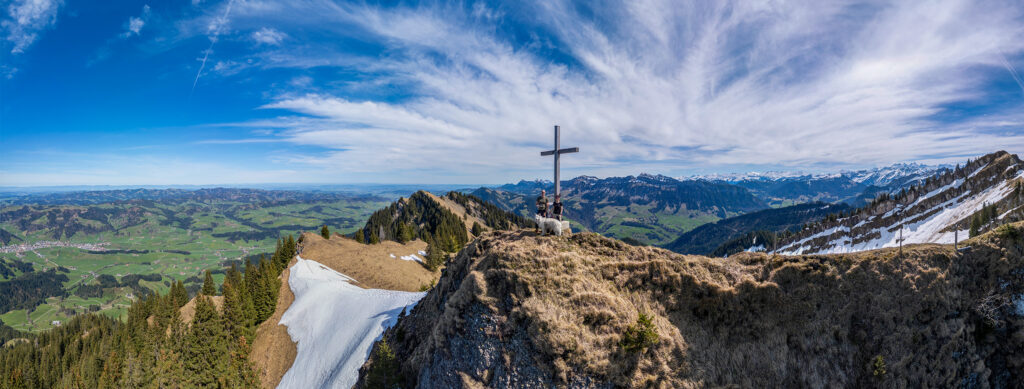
x=658 y=209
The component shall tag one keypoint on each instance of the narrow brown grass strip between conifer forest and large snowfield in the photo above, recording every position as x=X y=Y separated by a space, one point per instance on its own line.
x=273 y=352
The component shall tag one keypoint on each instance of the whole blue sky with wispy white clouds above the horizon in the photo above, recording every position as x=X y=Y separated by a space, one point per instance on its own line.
x=318 y=92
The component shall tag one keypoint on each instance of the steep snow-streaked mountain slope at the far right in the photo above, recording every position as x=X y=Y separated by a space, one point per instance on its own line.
x=986 y=193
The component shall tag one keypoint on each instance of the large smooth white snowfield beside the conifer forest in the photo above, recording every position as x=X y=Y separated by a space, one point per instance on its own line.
x=335 y=325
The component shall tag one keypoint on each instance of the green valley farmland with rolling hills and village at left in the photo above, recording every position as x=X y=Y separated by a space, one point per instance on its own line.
x=94 y=255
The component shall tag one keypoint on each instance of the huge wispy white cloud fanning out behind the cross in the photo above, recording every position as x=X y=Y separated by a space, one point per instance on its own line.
x=659 y=83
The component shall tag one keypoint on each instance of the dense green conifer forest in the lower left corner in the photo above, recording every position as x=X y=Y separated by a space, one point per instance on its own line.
x=154 y=348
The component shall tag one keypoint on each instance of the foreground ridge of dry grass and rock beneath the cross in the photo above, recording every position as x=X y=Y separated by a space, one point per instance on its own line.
x=518 y=311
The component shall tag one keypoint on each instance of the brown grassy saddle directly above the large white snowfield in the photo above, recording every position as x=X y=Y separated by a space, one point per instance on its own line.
x=371 y=266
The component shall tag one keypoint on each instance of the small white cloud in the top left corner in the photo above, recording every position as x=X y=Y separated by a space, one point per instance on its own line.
x=26 y=20
